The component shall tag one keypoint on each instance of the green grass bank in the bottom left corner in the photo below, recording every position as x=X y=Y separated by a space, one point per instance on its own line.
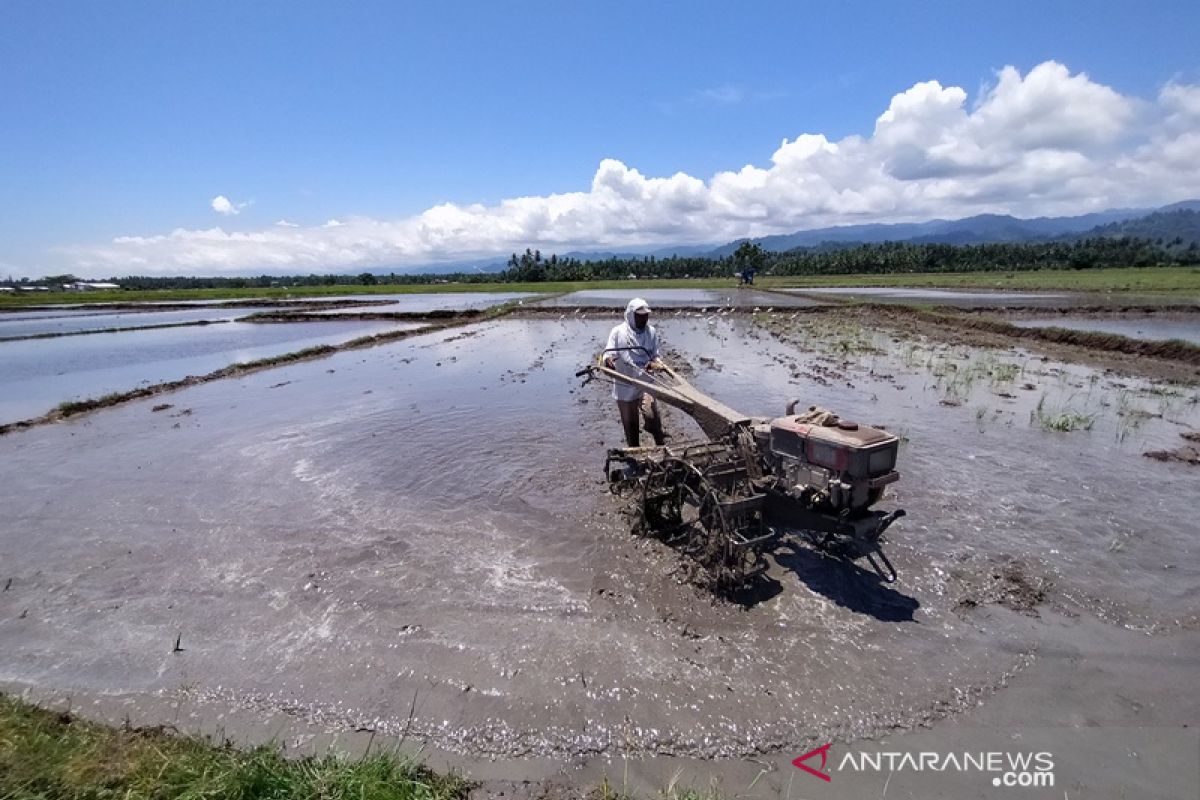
x=53 y=755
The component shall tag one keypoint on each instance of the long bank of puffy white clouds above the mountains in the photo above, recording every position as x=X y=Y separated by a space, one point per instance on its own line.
x=1045 y=143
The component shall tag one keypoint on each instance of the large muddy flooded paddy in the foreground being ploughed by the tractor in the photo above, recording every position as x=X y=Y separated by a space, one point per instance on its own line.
x=417 y=540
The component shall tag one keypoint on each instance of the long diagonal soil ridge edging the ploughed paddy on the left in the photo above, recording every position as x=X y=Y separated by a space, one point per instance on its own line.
x=74 y=408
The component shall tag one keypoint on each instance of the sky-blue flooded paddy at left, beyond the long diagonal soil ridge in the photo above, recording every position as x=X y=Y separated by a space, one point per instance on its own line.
x=38 y=375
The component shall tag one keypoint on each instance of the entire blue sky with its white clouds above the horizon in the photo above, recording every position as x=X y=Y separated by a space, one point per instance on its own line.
x=122 y=123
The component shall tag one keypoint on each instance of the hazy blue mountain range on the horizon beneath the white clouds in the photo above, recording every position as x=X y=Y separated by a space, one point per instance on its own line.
x=1179 y=220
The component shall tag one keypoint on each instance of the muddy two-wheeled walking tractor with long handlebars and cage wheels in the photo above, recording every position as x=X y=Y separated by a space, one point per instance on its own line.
x=728 y=501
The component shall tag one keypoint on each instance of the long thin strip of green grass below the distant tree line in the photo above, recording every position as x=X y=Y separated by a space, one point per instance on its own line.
x=1149 y=280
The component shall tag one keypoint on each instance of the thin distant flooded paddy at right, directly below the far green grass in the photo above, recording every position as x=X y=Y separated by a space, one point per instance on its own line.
x=987 y=299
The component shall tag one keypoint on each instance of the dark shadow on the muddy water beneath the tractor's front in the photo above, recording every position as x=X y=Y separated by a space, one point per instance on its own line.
x=847 y=584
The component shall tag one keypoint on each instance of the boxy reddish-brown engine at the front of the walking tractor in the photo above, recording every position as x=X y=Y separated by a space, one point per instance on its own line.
x=829 y=465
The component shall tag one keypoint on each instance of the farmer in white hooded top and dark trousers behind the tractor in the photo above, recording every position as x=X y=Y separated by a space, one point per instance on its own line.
x=633 y=351
